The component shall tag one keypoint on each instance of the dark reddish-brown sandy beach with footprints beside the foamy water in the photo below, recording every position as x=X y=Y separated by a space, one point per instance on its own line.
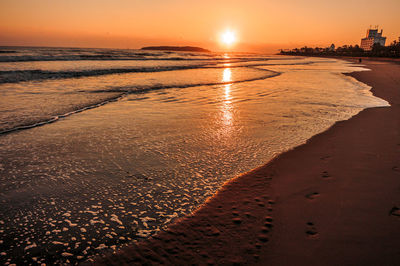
x=332 y=201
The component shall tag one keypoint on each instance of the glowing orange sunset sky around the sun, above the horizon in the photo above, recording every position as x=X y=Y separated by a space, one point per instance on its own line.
x=259 y=25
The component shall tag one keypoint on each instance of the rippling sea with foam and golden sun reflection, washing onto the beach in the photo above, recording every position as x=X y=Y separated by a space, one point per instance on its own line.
x=100 y=148
